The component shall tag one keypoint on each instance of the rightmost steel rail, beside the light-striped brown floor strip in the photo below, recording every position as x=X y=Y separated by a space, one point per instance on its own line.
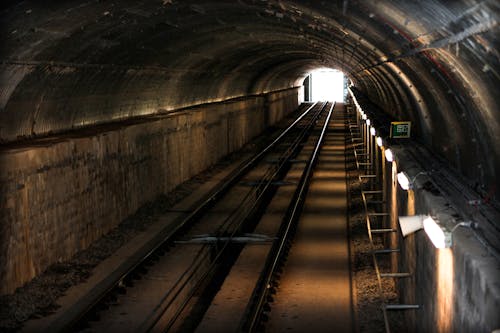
x=255 y=308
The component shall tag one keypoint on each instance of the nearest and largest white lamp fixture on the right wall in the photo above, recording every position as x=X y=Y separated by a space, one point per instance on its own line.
x=440 y=237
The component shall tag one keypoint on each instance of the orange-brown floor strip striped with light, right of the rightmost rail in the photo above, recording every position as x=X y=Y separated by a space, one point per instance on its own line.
x=315 y=290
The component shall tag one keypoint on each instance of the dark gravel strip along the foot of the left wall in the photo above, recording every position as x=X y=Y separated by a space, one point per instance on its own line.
x=38 y=298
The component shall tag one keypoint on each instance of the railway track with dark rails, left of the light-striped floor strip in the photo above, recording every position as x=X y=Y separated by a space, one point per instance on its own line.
x=171 y=284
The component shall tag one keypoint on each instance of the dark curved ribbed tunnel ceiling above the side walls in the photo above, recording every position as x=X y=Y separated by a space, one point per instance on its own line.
x=68 y=64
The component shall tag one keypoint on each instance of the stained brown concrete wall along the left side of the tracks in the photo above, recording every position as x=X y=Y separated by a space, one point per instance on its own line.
x=58 y=195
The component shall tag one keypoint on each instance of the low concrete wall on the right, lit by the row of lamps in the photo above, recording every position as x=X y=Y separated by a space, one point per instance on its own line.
x=456 y=289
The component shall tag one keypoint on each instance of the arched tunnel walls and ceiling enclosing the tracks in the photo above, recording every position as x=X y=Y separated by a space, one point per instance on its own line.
x=106 y=106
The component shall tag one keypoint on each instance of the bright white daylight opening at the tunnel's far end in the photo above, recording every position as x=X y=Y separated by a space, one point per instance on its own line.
x=325 y=84
